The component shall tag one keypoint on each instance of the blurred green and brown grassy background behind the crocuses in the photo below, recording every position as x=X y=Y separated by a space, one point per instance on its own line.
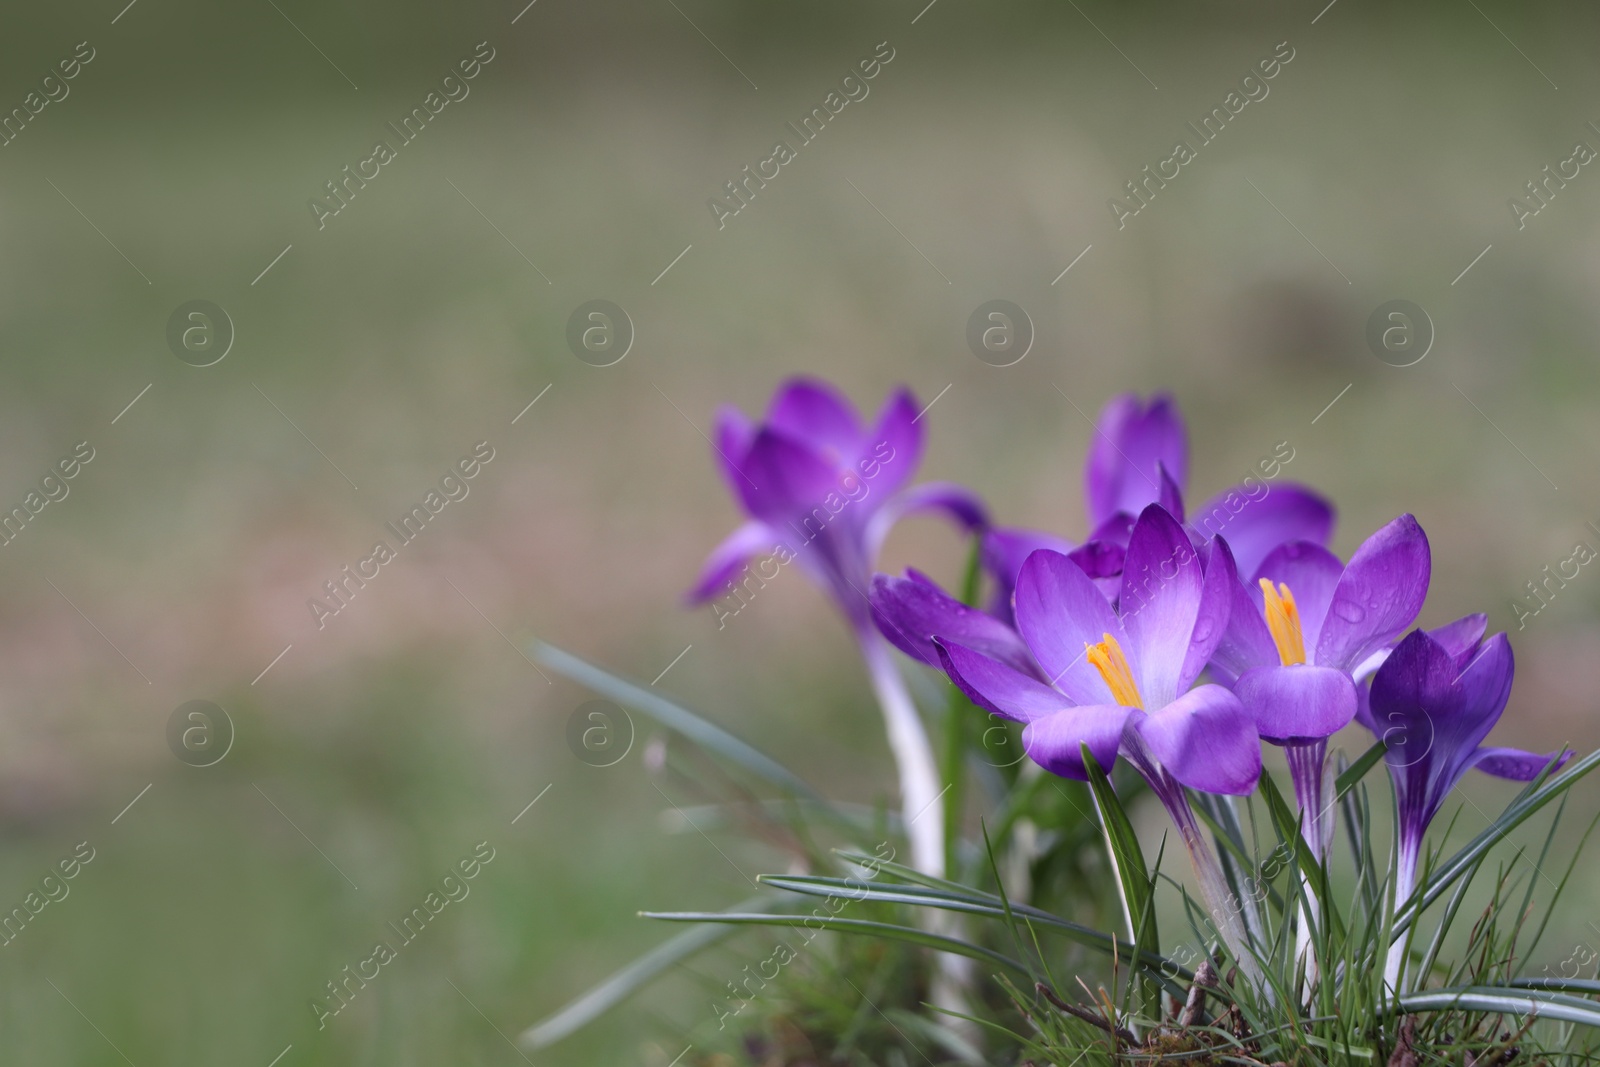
x=423 y=319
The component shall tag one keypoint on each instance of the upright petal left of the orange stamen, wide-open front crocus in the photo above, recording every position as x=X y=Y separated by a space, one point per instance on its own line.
x=1060 y=612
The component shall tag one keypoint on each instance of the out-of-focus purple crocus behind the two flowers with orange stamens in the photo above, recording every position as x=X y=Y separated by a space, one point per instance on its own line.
x=1140 y=457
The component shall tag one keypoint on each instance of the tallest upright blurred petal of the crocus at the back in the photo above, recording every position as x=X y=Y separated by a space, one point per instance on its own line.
x=1121 y=474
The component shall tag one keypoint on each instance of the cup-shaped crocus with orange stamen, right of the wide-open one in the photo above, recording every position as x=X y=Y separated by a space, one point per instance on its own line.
x=1300 y=634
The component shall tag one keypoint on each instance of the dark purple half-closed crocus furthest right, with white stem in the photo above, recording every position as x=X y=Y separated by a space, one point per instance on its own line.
x=1434 y=701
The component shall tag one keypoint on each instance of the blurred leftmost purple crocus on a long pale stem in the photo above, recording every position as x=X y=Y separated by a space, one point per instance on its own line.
x=823 y=490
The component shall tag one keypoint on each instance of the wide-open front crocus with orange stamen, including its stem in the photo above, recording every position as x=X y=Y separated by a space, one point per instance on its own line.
x=1082 y=673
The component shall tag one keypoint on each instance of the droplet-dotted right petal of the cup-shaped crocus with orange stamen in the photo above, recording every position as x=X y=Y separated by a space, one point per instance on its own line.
x=1380 y=594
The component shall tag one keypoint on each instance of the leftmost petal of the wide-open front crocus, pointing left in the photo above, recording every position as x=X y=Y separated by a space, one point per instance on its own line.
x=914 y=612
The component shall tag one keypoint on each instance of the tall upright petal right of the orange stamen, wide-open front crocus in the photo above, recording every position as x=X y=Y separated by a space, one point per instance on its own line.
x=1162 y=585
